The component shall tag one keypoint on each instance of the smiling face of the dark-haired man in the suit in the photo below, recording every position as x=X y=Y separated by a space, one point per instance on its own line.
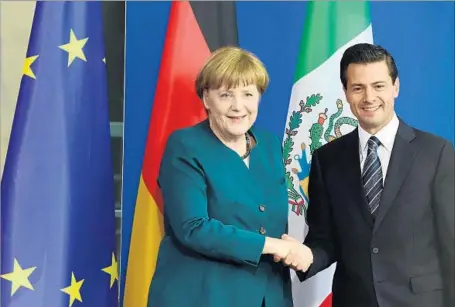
x=371 y=94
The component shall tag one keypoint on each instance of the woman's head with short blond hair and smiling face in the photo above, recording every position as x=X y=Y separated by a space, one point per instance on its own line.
x=230 y=85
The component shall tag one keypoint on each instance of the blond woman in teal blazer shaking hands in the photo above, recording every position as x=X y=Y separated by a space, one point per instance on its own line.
x=225 y=199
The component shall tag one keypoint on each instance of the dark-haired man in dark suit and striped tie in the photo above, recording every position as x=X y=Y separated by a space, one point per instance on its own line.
x=381 y=199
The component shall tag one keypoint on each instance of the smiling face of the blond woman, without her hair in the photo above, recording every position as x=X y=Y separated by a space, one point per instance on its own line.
x=233 y=111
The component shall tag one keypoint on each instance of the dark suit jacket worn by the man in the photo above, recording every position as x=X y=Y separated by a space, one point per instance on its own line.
x=406 y=257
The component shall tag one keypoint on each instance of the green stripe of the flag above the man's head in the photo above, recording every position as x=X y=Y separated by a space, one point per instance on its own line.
x=328 y=26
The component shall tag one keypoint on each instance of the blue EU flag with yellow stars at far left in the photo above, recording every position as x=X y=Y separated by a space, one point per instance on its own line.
x=57 y=200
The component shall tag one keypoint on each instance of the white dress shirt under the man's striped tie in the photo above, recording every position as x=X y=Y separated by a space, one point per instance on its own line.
x=387 y=137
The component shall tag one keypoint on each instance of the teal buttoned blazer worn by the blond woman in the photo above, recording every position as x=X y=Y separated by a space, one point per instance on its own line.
x=217 y=212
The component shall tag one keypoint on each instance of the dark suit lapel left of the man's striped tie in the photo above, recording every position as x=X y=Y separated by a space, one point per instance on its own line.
x=351 y=168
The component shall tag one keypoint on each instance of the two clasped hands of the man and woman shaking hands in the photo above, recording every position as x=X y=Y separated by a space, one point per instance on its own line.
x=289 y=251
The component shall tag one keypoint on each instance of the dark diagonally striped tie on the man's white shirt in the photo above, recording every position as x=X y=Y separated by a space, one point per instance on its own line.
x=372 y=175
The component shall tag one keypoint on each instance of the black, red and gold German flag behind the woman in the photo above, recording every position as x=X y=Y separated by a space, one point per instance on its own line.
x=195 y=29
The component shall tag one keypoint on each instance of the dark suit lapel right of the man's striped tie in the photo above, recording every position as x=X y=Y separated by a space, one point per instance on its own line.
x=403 y=154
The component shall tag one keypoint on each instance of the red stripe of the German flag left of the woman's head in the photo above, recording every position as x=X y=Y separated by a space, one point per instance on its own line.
x=176 y=104
